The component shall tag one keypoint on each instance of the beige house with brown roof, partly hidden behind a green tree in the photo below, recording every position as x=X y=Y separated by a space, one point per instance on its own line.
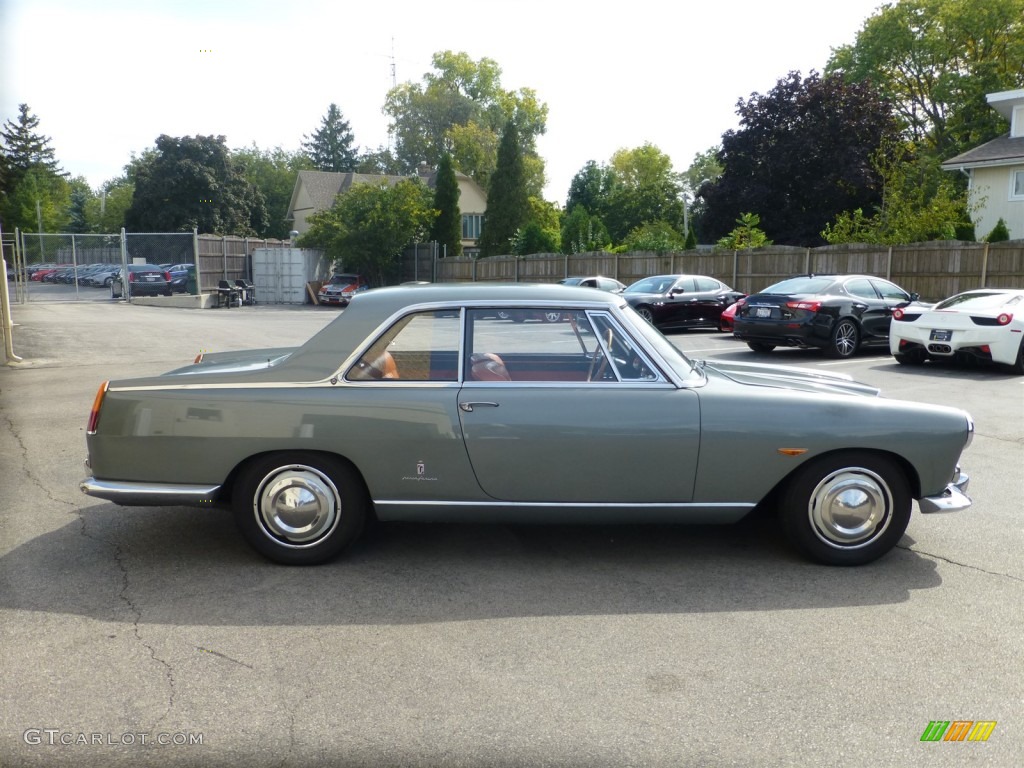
x=316 y=191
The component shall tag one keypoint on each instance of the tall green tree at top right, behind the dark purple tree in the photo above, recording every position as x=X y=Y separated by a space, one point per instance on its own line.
x=935 y=61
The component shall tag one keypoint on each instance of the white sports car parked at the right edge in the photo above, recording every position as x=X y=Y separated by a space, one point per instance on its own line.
x=986 y=325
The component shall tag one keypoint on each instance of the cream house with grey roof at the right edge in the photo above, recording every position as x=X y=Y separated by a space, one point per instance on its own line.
x=997 y=170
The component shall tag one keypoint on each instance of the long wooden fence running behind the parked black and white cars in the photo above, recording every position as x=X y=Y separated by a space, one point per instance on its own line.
x=933 y=270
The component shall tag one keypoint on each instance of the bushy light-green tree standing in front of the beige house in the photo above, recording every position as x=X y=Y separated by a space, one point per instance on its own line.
x=369 y=227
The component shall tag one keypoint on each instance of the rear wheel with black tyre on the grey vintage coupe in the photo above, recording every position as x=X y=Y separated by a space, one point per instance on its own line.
x=301 y=508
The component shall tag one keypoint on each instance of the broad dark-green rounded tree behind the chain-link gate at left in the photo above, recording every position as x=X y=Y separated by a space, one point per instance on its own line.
x=193 y=183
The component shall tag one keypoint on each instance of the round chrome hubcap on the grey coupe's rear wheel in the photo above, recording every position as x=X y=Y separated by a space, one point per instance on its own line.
x=297 y=505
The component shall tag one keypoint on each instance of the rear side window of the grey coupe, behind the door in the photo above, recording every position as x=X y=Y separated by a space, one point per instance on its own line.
x=422 y=347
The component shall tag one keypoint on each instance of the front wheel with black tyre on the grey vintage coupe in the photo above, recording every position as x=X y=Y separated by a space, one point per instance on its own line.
x=846 y=509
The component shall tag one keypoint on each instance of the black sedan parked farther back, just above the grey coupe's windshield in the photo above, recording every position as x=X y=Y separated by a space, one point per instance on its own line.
x=679 y=302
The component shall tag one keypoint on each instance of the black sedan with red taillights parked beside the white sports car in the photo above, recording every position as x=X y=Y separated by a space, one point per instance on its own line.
x=838 y=314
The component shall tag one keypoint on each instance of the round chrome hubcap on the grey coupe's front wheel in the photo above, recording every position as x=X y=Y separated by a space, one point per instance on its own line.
x=850 y=508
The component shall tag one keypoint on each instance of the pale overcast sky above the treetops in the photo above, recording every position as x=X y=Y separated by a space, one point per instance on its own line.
x=107 y=77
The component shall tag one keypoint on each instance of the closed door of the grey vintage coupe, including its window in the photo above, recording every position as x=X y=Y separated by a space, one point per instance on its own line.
x=575 y=414
